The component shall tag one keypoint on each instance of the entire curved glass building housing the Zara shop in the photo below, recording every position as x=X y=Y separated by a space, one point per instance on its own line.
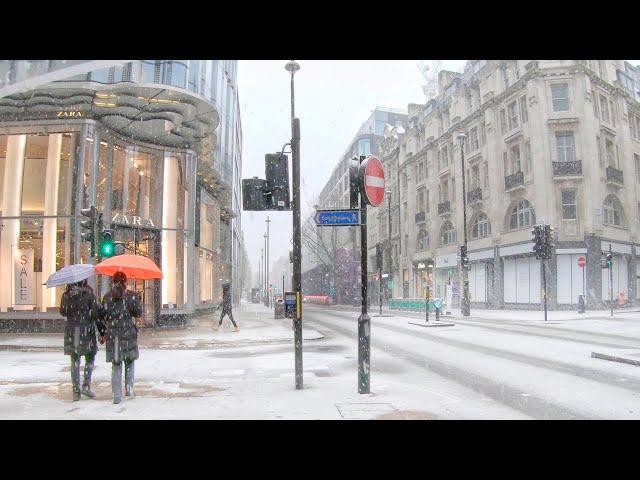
x=139 y=140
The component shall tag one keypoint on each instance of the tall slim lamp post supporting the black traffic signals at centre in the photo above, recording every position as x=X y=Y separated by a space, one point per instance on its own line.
x=292 y=67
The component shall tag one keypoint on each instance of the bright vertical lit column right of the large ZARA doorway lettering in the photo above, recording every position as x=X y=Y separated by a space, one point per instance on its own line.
x=169 y=224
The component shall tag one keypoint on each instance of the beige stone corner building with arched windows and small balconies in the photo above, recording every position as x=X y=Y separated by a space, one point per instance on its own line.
x=547 y=141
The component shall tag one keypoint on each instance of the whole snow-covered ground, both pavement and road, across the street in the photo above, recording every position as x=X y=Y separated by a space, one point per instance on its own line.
x=484 y=368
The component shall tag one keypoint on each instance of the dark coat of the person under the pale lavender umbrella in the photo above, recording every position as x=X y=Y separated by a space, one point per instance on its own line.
x=81 y=309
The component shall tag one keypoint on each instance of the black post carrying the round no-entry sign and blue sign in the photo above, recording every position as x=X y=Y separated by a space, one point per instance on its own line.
x=364 y=321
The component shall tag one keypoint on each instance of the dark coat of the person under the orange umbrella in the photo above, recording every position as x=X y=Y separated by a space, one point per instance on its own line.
x=121 y=331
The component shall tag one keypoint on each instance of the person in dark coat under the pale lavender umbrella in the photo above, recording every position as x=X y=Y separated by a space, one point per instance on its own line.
x=82 y=312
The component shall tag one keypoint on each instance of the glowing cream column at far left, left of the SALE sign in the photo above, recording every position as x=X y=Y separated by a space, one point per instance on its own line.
x=11 y=207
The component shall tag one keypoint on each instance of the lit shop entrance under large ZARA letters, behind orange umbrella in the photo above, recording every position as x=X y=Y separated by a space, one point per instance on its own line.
x=146 y=242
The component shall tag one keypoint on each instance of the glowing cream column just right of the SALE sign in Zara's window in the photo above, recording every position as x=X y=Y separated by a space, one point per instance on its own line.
x=50 y=225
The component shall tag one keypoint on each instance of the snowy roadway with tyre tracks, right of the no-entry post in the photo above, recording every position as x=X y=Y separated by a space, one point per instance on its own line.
x=544 y=371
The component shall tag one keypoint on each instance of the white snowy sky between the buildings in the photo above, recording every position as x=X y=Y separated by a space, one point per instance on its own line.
x=332 y=100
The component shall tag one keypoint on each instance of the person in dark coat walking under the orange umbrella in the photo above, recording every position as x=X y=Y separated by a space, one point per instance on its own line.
x=119 y=308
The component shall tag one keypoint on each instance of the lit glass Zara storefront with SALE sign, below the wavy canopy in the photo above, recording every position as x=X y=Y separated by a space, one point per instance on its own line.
x=53 y=166
